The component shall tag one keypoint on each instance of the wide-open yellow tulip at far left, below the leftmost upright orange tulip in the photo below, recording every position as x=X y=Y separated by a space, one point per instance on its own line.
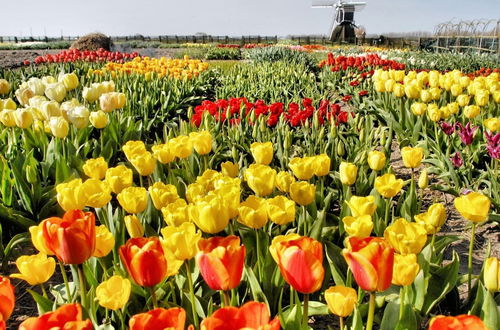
x=35 y=269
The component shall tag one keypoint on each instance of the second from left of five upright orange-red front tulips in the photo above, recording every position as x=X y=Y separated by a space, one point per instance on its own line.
x=144 y=260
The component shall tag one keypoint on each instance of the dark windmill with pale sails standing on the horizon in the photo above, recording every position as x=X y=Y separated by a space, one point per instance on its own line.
x=343 y=26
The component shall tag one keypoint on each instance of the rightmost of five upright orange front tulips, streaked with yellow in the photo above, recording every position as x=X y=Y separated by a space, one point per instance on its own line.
x=371 y=261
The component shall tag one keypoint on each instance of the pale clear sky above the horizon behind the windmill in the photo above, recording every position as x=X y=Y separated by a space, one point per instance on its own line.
x=225 y=17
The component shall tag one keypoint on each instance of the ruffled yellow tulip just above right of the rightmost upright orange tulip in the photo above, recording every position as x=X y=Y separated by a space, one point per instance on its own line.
x=406 y=237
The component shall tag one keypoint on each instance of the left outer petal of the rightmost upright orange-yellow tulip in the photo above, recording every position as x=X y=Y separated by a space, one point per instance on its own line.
x=363 y=271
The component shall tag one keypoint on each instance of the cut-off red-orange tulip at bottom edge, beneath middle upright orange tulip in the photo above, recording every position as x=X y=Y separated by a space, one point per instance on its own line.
x=252 y=315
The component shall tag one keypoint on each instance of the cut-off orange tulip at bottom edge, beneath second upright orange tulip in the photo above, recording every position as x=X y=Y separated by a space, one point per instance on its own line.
x=159 y=318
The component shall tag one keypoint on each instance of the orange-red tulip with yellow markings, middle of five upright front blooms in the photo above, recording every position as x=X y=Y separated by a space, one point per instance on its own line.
x=221 y=261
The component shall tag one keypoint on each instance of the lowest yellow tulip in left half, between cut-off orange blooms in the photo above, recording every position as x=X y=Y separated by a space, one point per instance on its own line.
x=114 y=293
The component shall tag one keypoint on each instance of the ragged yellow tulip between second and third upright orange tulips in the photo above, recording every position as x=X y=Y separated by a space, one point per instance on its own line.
x=182 y=241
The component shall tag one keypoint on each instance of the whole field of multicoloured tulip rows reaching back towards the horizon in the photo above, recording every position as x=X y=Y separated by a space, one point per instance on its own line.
x=301 y=188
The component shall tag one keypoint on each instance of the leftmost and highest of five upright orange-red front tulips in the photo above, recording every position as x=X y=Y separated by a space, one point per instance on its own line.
x=72 y=237
